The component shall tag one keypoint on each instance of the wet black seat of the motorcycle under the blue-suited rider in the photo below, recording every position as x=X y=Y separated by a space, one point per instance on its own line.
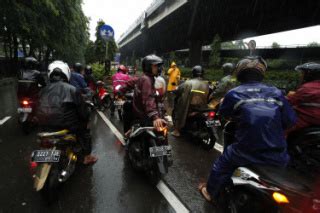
x=283 y=178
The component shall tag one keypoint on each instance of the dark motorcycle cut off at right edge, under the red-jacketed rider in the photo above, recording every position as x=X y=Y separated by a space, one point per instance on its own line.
x=304 y=149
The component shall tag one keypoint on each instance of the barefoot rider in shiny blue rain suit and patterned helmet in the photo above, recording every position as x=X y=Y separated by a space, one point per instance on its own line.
x=261 y=114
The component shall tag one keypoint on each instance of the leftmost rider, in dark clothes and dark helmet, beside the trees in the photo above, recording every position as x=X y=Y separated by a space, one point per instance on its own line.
x=29 y=79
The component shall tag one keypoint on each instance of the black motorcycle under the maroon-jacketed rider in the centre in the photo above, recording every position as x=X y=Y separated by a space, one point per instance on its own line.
x=148 y=151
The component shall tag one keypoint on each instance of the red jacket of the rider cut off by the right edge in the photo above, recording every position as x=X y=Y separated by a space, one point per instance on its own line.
x=306 y=102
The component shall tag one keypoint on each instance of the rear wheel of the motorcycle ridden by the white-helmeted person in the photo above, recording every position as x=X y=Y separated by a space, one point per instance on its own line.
x=50 y=189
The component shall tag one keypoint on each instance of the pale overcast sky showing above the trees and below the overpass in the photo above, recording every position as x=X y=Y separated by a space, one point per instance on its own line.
x=120 y=14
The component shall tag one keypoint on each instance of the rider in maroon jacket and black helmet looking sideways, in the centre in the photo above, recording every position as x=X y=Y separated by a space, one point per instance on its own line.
x=144 y=101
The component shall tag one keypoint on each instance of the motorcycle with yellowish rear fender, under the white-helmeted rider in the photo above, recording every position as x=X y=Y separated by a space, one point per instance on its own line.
x=54 y=162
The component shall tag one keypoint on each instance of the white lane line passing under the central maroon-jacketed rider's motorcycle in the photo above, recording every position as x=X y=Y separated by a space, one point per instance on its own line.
x=174 y=201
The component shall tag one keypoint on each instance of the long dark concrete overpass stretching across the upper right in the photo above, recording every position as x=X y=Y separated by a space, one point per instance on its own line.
x=169 y=25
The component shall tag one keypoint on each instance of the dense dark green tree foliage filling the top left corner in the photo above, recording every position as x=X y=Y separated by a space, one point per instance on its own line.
x=49 y=27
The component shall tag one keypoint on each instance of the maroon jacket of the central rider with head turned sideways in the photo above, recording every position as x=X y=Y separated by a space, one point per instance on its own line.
x=144 y=101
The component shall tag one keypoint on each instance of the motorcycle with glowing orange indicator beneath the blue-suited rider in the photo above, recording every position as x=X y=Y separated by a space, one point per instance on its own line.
x=259 y=188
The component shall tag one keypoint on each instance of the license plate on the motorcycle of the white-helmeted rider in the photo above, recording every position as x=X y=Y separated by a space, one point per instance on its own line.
x=46 y=156
